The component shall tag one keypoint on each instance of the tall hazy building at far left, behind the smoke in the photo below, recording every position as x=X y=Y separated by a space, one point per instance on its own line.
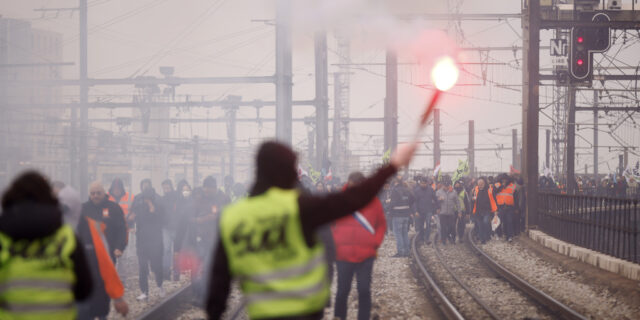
x=30 y=138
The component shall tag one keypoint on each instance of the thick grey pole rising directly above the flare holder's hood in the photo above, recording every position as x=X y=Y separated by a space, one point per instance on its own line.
x=283 y=71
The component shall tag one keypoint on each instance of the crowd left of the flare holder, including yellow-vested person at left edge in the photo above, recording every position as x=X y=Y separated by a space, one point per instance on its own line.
x=169 y=234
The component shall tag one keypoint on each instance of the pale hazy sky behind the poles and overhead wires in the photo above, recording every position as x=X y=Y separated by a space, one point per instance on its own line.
x=218 y=38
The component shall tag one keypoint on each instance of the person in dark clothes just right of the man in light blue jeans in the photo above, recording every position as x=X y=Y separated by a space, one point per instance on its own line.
x=425 y=206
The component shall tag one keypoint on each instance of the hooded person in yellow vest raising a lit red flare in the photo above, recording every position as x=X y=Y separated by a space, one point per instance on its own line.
x=269 y=242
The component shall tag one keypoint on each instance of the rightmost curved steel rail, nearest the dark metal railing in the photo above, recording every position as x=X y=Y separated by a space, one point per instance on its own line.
x=544 y=299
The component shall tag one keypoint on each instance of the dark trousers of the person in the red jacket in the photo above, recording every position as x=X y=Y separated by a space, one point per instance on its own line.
x=362 y=271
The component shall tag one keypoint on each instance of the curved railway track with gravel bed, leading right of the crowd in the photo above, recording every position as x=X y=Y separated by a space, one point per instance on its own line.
x=468 y=284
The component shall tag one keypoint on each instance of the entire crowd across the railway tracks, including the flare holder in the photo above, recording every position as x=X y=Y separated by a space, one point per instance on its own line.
x=282 y=239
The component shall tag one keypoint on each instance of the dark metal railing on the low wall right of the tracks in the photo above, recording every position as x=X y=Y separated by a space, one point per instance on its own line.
x=607 y=225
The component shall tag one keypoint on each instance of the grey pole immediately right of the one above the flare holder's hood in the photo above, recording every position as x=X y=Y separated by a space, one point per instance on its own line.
x=322 y=99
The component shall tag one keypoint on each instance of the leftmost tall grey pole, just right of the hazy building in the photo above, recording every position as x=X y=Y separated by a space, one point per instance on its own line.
x=83 y=166
